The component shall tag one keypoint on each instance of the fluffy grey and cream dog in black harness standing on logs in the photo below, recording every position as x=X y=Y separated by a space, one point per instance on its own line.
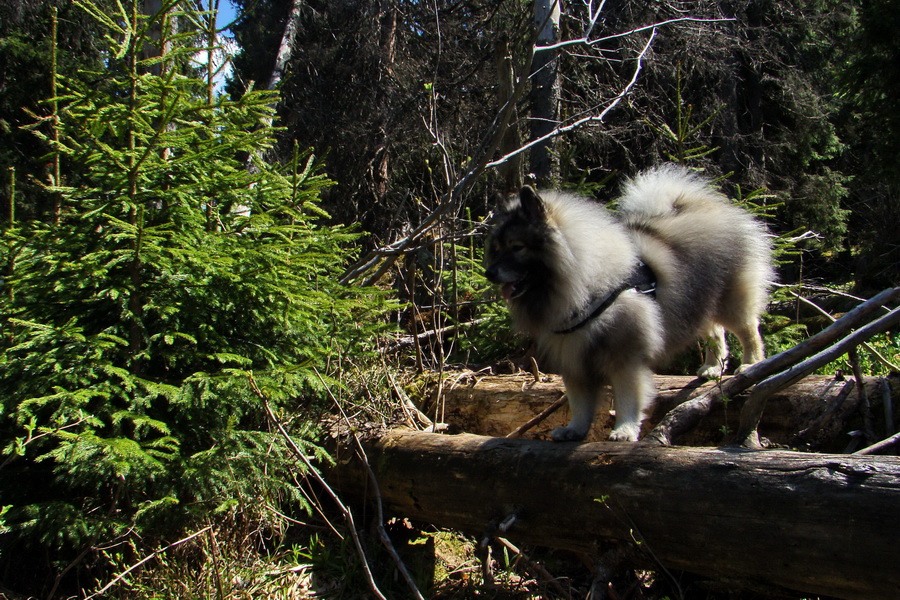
x=608 y=297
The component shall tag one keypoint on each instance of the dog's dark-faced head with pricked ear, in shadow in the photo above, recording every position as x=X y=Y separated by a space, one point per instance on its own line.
x=518 y=252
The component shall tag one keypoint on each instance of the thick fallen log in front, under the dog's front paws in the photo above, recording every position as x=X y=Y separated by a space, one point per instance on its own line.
x=814 y=523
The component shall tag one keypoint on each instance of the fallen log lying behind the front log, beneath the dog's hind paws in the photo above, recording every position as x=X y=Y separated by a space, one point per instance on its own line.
x=814 y=414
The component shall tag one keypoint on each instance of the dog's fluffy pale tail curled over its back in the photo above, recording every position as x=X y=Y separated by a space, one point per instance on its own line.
x=665 y=190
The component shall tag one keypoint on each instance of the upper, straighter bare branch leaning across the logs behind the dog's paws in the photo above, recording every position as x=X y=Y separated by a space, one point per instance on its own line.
x=686 y=416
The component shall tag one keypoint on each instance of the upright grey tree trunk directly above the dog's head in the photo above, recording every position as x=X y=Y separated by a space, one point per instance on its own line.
x=544 y=88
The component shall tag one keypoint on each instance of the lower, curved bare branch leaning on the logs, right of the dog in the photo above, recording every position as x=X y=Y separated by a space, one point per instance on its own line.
x=753 y=408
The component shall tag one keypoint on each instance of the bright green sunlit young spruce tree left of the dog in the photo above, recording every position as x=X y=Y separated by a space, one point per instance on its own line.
x=179 y=263
